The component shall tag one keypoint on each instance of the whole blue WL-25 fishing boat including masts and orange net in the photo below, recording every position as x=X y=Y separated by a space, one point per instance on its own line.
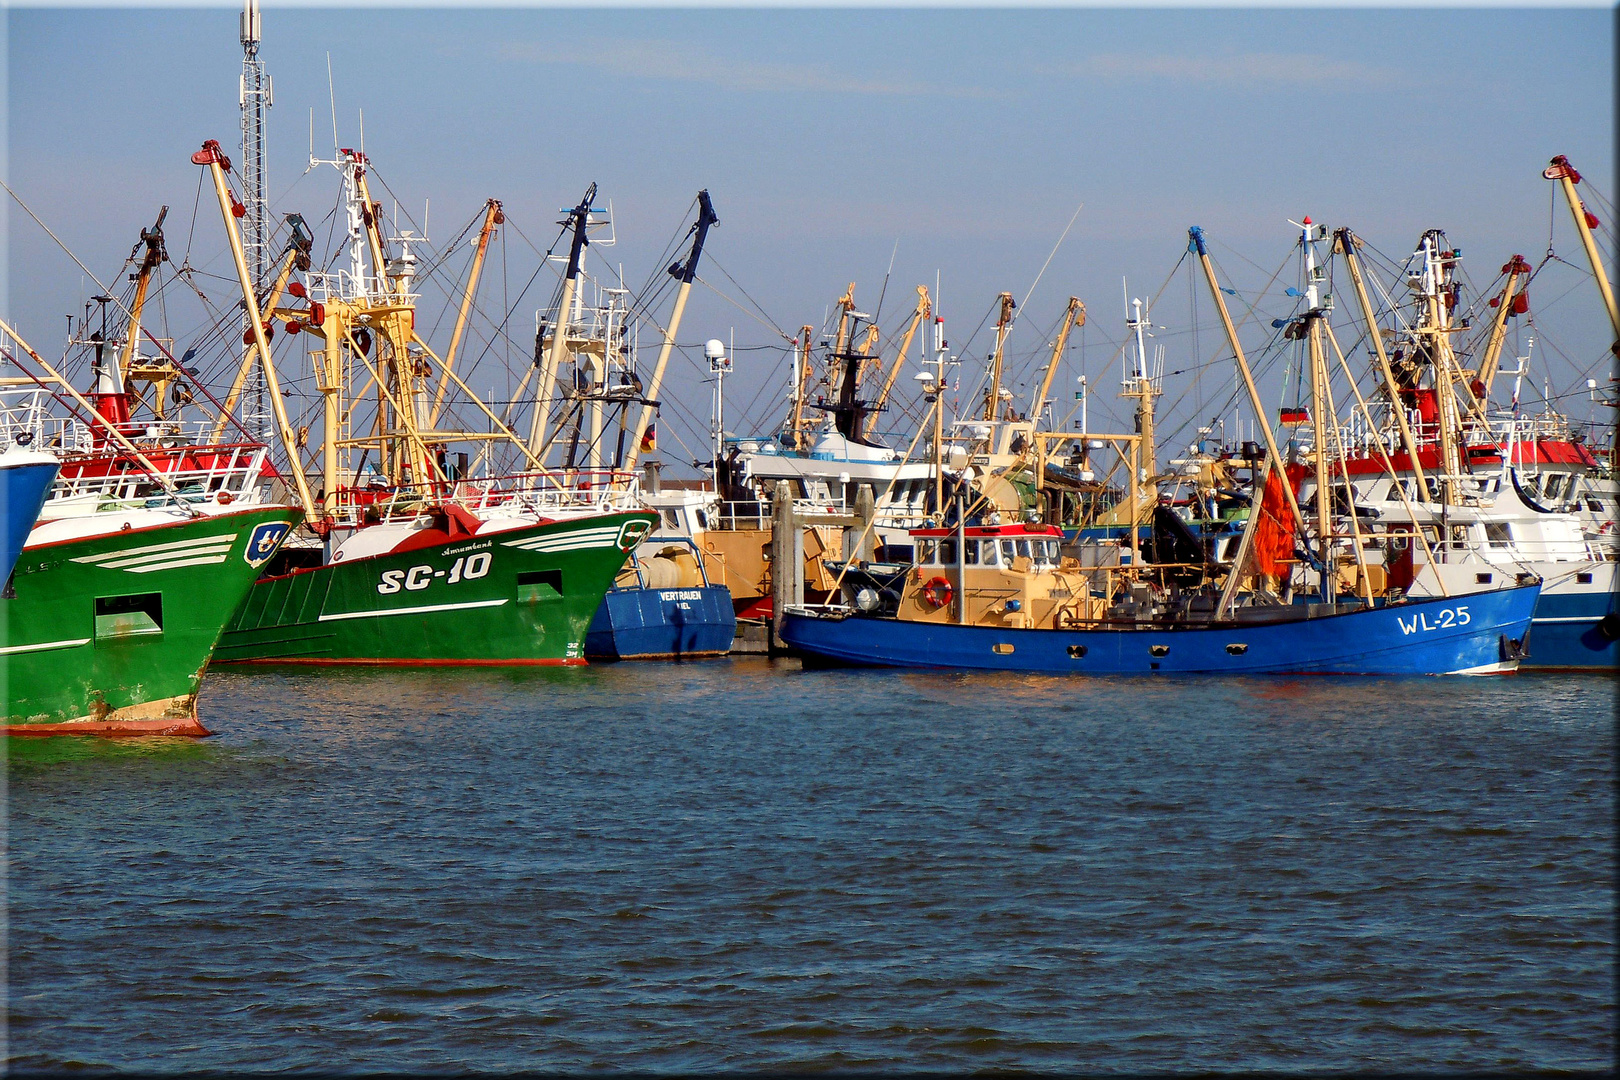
x=1002 y=597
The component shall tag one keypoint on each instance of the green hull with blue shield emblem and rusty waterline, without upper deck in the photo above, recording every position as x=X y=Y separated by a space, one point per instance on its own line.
x=111 y=634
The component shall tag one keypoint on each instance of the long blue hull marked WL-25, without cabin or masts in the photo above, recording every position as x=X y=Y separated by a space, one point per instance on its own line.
x=1473 y=634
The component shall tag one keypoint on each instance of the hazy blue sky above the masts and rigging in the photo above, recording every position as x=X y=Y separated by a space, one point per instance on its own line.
x=970 y=137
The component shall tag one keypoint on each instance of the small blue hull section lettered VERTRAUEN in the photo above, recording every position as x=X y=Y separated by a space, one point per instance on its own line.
x=646 y=624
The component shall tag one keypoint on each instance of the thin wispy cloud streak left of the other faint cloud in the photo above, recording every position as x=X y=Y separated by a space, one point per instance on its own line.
x=684 y=64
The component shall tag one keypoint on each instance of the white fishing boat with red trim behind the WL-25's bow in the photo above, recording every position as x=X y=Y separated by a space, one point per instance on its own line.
x=1475 y=485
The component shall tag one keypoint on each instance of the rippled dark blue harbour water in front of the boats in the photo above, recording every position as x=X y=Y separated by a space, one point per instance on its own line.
x=740 y=864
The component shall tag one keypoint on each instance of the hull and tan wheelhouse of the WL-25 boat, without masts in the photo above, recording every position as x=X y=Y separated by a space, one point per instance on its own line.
x=1002 y=598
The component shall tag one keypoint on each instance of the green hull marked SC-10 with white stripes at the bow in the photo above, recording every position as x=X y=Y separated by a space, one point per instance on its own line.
x=514 y=598
